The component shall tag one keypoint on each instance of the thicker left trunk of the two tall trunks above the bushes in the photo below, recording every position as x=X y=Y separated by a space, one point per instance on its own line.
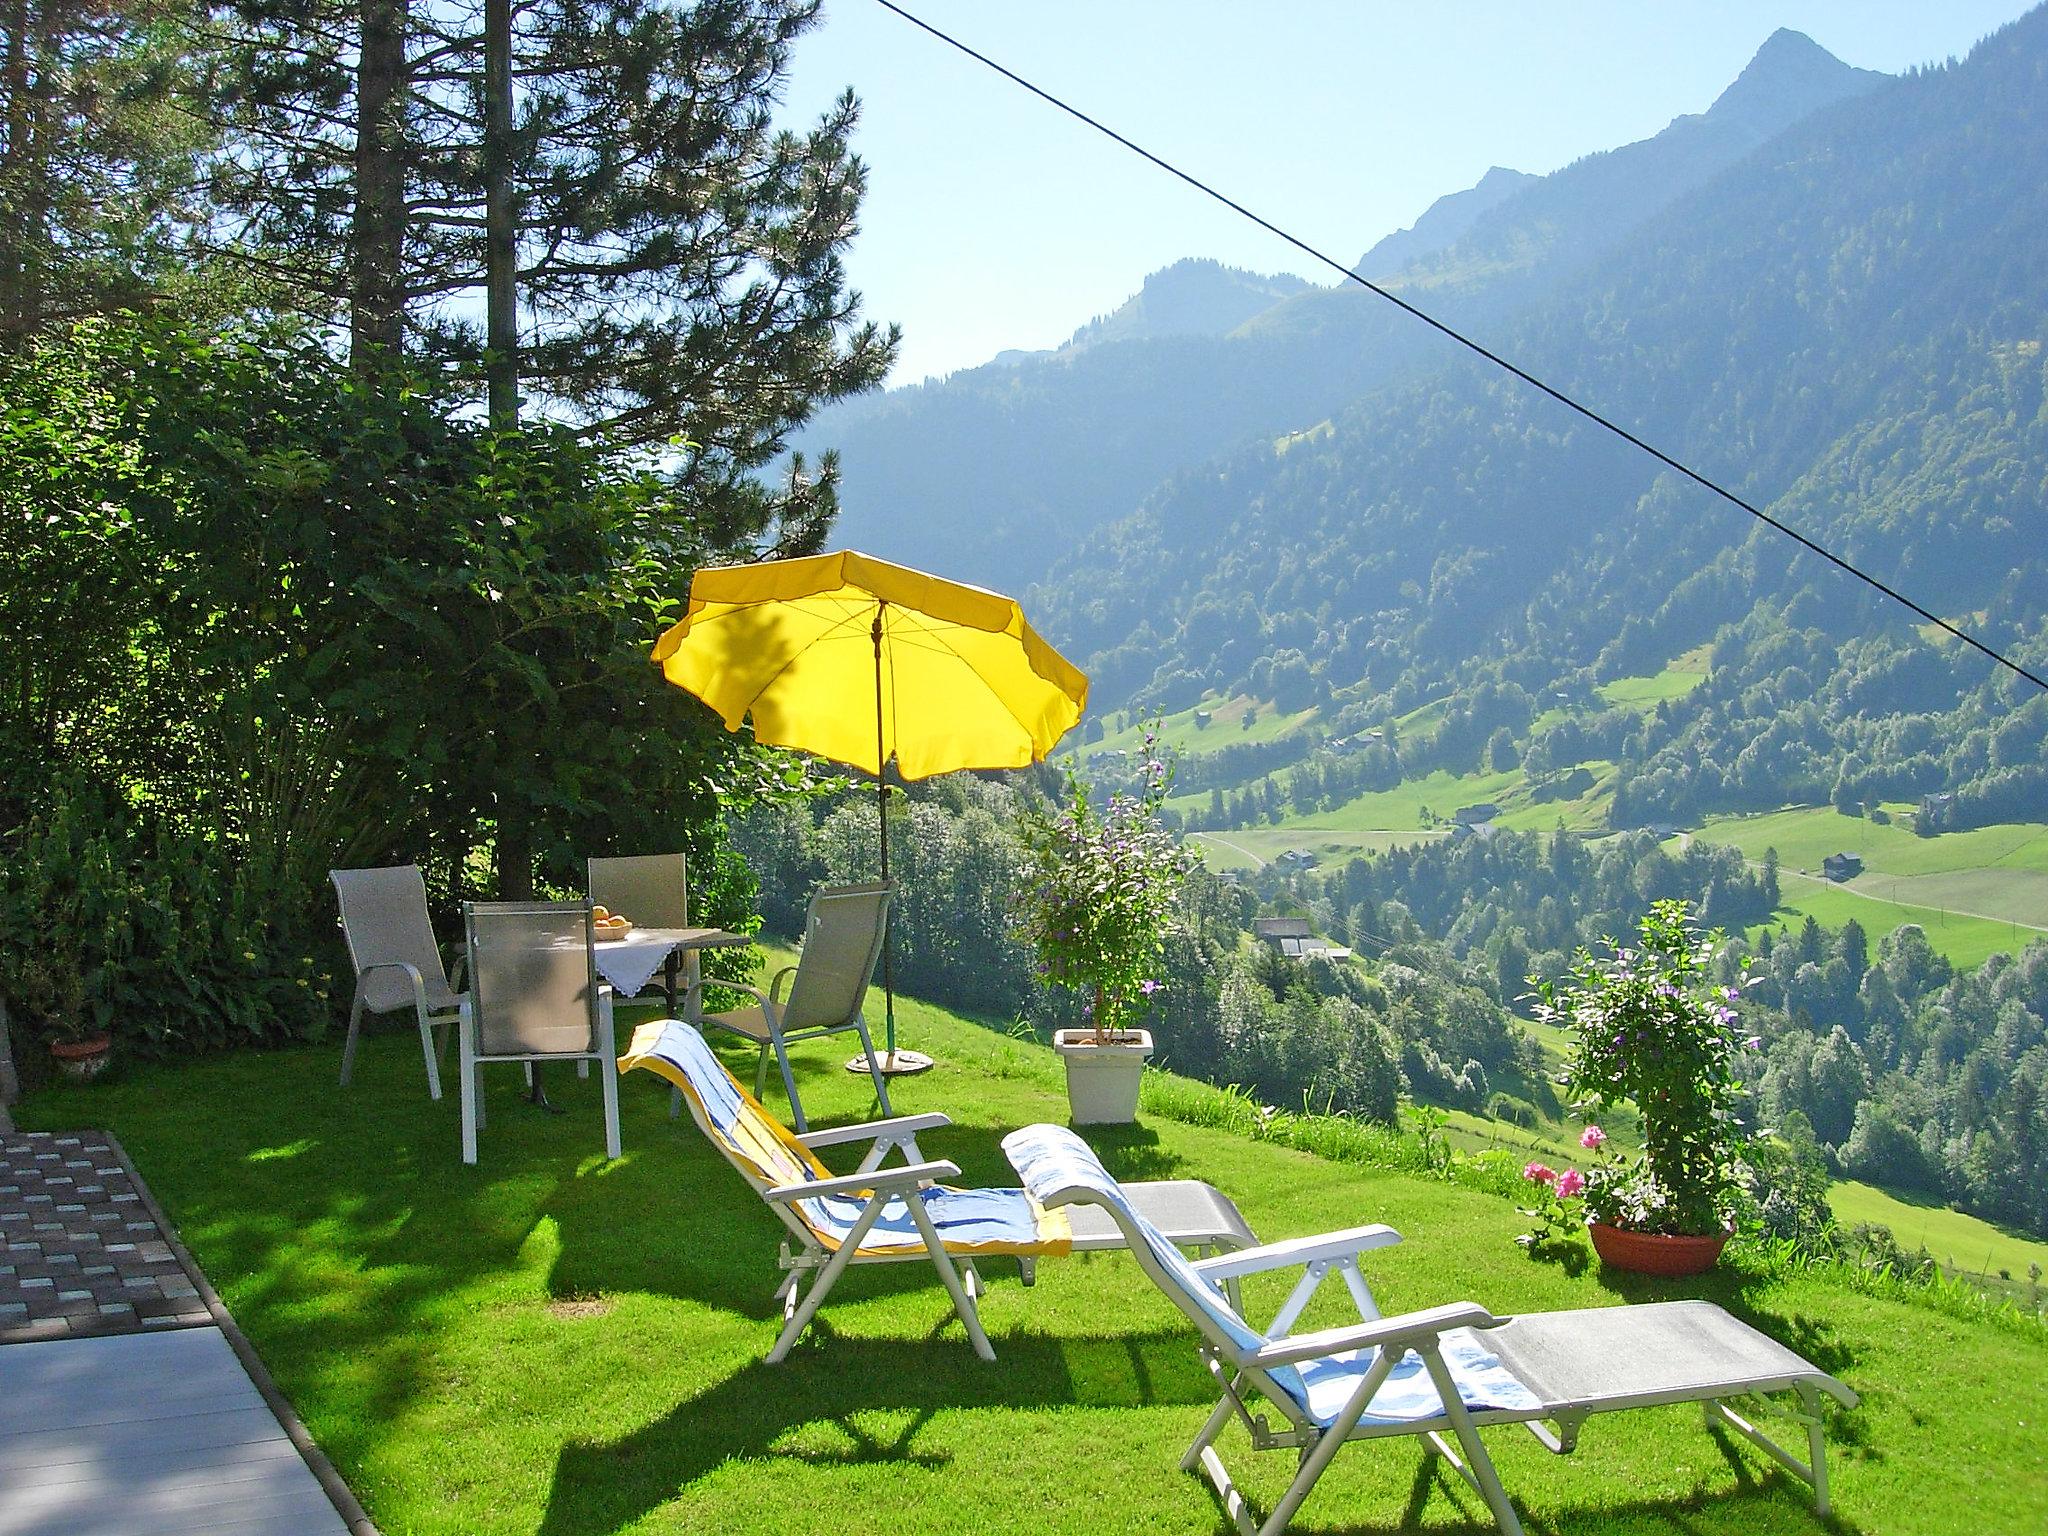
x=376 y=284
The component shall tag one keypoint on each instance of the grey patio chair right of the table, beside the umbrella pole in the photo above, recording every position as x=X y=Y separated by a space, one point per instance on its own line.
x=826 y=988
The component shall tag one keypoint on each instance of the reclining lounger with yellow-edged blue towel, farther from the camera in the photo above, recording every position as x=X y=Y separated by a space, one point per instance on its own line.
x=894 y=1215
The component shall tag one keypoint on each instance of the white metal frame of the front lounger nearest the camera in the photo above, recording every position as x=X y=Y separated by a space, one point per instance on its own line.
x=1240 y=1369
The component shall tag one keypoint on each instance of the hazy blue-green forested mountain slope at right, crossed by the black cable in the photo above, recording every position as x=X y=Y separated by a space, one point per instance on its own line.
x=1846 y=327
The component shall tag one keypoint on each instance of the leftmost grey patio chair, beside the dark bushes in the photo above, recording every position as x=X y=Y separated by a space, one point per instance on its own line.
x=396 y=959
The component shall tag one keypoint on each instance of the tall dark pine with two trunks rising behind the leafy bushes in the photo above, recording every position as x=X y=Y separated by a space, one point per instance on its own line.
x=669 y=261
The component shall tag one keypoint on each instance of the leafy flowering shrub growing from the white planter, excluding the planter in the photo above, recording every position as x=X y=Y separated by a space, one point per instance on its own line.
x=1101 y=894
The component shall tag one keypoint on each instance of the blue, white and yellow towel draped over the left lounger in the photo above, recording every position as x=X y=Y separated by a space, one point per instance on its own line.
x=970 y=1222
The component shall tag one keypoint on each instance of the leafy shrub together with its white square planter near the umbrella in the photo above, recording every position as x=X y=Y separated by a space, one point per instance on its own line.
x=1099 y=908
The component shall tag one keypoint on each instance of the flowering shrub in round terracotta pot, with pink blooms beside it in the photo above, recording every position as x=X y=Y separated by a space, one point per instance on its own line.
x=1656 y=1031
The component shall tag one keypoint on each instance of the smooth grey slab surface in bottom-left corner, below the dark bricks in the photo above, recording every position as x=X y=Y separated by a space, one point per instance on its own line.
x=148 y=1433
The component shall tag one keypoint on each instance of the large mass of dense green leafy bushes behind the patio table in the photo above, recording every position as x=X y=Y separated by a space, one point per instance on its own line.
x=349 y=628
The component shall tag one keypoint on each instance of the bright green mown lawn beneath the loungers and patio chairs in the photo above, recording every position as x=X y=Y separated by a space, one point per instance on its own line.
x=562 y=1347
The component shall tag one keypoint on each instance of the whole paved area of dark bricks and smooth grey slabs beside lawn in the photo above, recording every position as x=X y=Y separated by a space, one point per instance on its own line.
x=126 y=1402
